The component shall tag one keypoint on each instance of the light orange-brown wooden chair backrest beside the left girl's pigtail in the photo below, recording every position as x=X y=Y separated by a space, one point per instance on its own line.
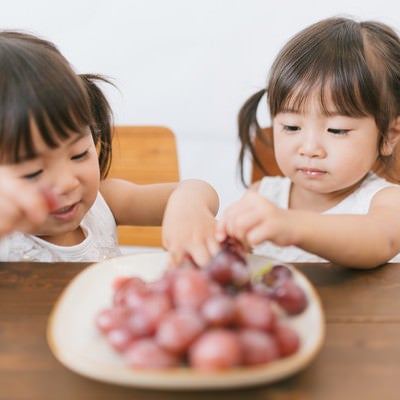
x=143 y=154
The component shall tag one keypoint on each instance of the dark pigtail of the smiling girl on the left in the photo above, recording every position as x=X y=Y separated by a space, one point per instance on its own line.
x=101 y=126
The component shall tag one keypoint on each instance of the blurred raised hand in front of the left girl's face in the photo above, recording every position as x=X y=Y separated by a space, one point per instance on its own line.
x=23 y=206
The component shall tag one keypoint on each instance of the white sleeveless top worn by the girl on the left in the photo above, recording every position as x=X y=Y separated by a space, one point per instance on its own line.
x=100 y=241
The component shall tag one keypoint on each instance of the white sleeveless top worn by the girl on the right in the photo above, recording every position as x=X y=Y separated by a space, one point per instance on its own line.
x=277 y=190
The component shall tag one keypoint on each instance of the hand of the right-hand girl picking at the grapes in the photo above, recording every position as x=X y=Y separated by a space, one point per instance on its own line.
x=253 y=220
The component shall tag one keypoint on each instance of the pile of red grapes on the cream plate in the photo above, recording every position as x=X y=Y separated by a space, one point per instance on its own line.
x=214 y=318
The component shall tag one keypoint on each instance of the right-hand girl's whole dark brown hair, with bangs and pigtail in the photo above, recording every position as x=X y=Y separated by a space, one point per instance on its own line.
x=356 y=64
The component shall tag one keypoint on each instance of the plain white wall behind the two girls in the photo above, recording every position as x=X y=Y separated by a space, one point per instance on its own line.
x=185 y=64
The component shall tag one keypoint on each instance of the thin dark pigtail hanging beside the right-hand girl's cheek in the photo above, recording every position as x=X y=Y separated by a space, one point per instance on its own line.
x=248 y=127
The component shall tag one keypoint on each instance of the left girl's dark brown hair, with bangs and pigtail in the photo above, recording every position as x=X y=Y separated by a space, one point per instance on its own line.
x=38 y=85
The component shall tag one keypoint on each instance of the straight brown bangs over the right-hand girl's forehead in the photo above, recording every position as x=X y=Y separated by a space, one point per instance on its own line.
x=327 y=66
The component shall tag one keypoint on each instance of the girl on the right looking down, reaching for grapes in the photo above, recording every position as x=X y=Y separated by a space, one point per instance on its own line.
x=334 y=100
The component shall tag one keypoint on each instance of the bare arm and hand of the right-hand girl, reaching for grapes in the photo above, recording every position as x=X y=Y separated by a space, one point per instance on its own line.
x=359 y=241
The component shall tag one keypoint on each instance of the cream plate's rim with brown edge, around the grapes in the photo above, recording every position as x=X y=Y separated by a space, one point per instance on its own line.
x=177 y=378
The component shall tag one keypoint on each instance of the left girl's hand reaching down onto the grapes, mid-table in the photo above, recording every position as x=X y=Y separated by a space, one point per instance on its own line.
x=189 y=224
